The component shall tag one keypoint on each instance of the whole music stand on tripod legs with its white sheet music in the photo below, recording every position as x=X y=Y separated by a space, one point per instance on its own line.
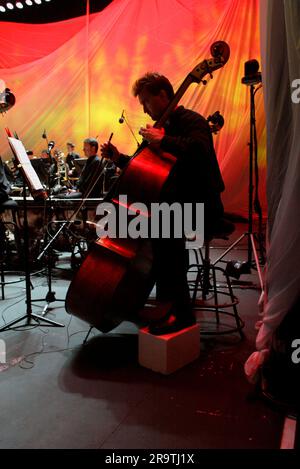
x=31 y=179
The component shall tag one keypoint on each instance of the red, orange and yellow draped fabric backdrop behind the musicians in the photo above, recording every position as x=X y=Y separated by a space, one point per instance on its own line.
x=73 y=78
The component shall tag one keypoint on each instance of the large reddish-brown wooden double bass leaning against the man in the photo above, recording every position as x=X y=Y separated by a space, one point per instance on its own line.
x=117 y=276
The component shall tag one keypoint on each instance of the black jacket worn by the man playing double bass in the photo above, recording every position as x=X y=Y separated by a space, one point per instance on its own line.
x=196 y=176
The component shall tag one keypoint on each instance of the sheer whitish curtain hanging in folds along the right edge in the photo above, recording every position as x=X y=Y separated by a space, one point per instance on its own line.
x=280 y=47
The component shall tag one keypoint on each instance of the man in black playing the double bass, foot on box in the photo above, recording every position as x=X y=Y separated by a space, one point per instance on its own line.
x=196 y=178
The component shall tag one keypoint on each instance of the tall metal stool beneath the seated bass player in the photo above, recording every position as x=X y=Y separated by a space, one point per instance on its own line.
x=206 y=283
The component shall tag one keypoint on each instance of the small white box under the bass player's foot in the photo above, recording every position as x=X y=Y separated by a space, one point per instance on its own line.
x=170 y=352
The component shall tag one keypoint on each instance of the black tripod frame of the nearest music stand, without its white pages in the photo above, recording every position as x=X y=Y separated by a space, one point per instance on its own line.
x=29 y=316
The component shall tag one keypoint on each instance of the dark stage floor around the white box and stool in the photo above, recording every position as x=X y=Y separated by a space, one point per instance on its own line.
x=56 y=393
